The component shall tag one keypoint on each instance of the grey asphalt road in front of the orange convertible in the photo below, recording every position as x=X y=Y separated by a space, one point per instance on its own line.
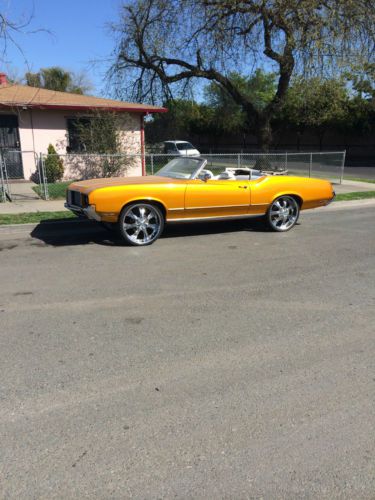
x=221 y=362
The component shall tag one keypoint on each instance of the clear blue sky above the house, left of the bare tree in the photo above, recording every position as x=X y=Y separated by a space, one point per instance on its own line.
x=79 y=36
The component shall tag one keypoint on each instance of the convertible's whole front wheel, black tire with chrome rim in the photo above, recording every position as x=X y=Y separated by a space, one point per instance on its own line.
x=140 y=224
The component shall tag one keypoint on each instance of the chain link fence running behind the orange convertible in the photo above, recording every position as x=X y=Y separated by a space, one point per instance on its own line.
x=51 y=174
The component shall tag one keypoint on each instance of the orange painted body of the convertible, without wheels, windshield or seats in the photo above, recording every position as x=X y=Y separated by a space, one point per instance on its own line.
x=197 y=199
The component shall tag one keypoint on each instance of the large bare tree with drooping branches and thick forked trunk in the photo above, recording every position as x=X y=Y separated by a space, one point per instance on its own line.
x=164 y=44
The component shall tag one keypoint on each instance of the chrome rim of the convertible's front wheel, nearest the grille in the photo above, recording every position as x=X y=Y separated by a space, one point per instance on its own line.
x=141 y=224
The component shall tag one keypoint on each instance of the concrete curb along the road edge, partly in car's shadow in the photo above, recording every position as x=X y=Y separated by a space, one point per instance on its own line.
x=86 y=225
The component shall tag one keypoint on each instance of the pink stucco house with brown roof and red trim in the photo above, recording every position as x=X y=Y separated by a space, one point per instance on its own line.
x=32 y=118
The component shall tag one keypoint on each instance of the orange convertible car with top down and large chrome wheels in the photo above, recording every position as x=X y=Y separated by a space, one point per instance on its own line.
x=187 y=189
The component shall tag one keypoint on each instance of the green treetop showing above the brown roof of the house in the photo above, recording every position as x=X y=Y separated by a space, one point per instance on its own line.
x=56 y=78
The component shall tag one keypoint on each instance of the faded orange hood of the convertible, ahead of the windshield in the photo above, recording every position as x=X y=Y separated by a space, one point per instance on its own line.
x=91 y=184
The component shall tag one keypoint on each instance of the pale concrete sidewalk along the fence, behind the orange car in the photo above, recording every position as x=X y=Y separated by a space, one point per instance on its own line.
x=38 y=205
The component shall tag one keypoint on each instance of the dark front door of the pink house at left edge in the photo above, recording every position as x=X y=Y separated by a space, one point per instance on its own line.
x=10 y=146
